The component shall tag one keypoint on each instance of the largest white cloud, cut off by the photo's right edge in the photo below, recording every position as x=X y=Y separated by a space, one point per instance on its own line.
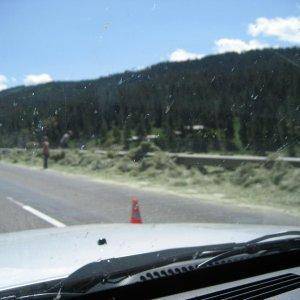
x=285 y=29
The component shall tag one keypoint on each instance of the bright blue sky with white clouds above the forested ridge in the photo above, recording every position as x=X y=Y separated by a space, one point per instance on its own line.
x=43 y=40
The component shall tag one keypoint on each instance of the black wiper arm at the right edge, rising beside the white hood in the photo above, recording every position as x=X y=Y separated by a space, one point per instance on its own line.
x=255 y=246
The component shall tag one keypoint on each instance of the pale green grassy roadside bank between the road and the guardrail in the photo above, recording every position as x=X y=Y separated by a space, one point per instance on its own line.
x=274 y=185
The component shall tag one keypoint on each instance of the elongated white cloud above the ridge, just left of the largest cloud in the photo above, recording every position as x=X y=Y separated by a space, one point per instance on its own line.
x=237 y=45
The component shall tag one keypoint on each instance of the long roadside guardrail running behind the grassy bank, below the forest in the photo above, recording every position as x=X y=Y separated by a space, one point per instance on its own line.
x=227 y=161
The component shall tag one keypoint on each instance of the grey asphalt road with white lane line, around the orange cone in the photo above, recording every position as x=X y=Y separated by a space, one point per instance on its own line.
x=32 y=198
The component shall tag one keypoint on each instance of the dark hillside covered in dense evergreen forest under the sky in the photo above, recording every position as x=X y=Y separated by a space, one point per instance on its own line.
x=248 y=101
